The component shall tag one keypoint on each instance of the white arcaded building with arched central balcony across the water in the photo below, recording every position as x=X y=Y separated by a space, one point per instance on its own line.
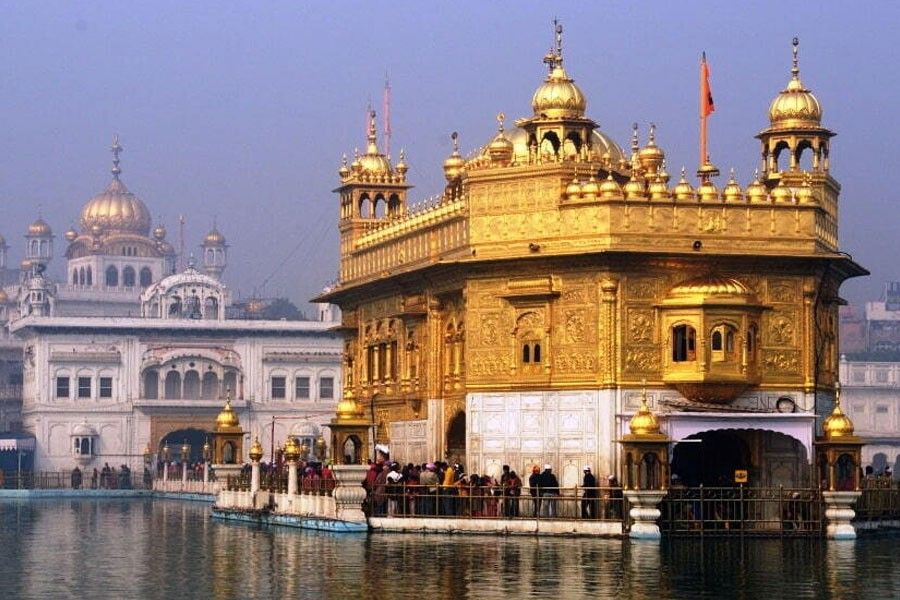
x=101 y=389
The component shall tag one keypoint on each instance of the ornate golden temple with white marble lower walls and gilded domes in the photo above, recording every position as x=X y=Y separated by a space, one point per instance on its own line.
x=513 y=319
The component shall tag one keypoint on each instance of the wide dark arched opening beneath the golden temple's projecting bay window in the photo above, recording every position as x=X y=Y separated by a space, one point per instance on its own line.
x=770 y=458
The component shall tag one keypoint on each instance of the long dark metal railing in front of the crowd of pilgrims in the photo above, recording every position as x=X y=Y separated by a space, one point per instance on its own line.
x=480 y=502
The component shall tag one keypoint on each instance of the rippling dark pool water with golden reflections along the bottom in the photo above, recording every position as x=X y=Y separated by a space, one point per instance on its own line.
x=169 y=549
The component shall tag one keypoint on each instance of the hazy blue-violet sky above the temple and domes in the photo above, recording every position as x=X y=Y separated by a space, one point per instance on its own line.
x=231 y=111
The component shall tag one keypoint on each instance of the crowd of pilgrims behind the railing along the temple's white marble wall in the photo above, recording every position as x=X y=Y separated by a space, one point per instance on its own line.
x=442 y=489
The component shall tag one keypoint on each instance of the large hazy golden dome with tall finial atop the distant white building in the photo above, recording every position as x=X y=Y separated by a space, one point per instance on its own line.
x=116 y=209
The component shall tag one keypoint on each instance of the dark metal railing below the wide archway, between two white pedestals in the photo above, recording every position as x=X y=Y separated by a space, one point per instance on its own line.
x=744 y=510
